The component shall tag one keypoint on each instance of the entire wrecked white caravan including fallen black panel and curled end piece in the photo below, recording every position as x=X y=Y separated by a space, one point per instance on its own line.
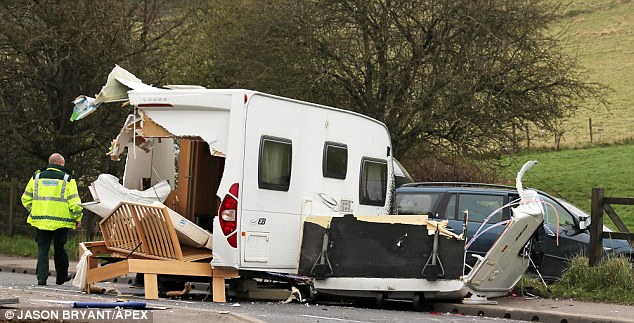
x=299 y=188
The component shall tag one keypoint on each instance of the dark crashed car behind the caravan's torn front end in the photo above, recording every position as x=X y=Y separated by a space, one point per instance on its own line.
x=550 y=251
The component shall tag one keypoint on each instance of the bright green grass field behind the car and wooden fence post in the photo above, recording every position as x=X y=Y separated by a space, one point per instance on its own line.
x=572 y=174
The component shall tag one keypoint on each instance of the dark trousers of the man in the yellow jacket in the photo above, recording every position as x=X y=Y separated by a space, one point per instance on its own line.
x=60 y=257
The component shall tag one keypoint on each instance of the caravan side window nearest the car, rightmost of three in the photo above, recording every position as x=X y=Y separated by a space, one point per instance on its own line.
x=373 y=182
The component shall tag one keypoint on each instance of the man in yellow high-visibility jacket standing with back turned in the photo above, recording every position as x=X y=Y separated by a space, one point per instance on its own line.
x=54 y=207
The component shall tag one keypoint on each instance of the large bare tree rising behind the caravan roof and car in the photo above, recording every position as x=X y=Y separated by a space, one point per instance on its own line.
x=446 y=77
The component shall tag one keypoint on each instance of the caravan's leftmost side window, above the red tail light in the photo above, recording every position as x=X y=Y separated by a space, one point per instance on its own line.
x=274 y=169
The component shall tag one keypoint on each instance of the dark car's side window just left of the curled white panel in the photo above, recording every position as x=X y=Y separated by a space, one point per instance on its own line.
x=480 y=206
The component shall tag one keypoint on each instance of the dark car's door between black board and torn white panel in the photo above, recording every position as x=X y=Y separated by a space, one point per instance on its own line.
x=479 y=206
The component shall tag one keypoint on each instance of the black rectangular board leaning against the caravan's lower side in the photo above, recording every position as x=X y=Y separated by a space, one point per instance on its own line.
x=377 y=250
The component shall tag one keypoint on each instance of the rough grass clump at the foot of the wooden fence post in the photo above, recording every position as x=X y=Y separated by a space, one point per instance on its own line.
x=611 y=281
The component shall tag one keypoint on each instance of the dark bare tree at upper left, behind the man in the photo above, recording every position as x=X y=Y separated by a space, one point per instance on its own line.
x=52 y=51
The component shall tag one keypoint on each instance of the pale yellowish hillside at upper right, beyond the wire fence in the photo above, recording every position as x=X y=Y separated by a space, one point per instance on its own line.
x=600 y=33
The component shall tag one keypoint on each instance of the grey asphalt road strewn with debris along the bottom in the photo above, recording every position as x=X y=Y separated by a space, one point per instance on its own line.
x=193 y=307
